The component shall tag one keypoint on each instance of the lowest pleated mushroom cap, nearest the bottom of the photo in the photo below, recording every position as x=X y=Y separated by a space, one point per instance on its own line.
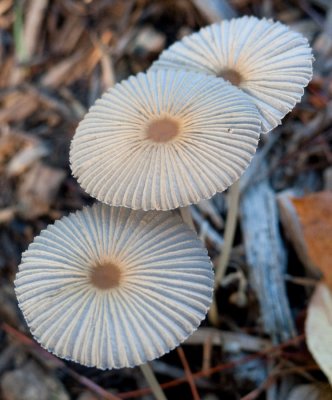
x=164 y=291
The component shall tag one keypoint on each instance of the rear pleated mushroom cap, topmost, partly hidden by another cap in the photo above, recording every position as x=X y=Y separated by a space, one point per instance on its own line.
x=273 y=62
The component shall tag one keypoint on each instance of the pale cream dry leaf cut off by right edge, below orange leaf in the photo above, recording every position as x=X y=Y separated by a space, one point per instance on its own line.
x=319 y=328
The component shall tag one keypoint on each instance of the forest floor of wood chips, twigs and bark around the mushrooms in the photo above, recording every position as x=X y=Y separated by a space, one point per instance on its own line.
x=56 y=58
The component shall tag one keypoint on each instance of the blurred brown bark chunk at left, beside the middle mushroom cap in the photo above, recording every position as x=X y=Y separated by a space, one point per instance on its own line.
x=38 y=190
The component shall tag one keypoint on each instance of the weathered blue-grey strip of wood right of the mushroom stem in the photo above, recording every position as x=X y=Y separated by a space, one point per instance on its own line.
x=266 y=258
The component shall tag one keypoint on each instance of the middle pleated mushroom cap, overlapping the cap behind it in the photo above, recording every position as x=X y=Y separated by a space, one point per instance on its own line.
x=164 y=139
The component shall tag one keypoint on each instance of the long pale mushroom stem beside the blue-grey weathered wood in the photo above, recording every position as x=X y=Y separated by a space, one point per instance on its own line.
x=220 y=268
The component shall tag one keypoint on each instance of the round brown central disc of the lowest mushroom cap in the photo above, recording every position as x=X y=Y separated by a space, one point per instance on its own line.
x=105 y=276
